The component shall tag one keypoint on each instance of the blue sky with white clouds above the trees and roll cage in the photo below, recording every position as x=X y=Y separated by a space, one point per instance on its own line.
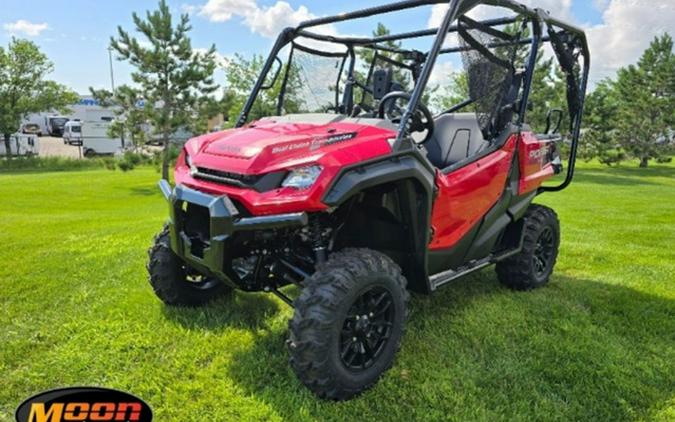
x=75 y=34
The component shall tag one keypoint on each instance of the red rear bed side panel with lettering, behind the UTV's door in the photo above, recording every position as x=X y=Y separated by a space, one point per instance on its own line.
x=534 y=159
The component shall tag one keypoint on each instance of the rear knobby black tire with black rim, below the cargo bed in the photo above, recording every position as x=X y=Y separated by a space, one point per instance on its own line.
x=532 y=267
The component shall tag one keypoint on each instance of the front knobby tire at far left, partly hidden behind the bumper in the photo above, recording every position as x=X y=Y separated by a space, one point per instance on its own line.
x=171 y=281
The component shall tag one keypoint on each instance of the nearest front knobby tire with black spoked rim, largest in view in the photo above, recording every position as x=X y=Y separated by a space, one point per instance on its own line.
x=348 y=323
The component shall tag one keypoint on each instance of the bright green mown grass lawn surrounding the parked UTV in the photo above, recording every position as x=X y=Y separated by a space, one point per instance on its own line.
x=597 y=344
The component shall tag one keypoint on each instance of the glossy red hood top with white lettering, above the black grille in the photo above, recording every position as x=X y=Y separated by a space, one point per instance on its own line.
x=267 y=146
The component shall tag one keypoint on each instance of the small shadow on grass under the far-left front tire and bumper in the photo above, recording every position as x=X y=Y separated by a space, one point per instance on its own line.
x=241 y=310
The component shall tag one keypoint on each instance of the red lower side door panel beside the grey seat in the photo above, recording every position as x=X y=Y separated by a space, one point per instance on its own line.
x=467 y=194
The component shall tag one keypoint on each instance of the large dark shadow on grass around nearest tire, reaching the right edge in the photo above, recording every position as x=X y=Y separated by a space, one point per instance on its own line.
x=578 y=349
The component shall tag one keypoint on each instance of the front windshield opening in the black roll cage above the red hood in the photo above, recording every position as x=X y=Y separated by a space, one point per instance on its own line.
x=324 y=77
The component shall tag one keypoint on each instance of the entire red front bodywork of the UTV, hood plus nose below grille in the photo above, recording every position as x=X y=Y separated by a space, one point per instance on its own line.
x=266 y=147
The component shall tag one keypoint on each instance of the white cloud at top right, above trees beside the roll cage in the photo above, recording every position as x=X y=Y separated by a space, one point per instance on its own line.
x=627 y=29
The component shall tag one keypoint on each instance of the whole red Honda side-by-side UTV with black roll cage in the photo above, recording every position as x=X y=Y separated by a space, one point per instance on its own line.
x=340 y=179
